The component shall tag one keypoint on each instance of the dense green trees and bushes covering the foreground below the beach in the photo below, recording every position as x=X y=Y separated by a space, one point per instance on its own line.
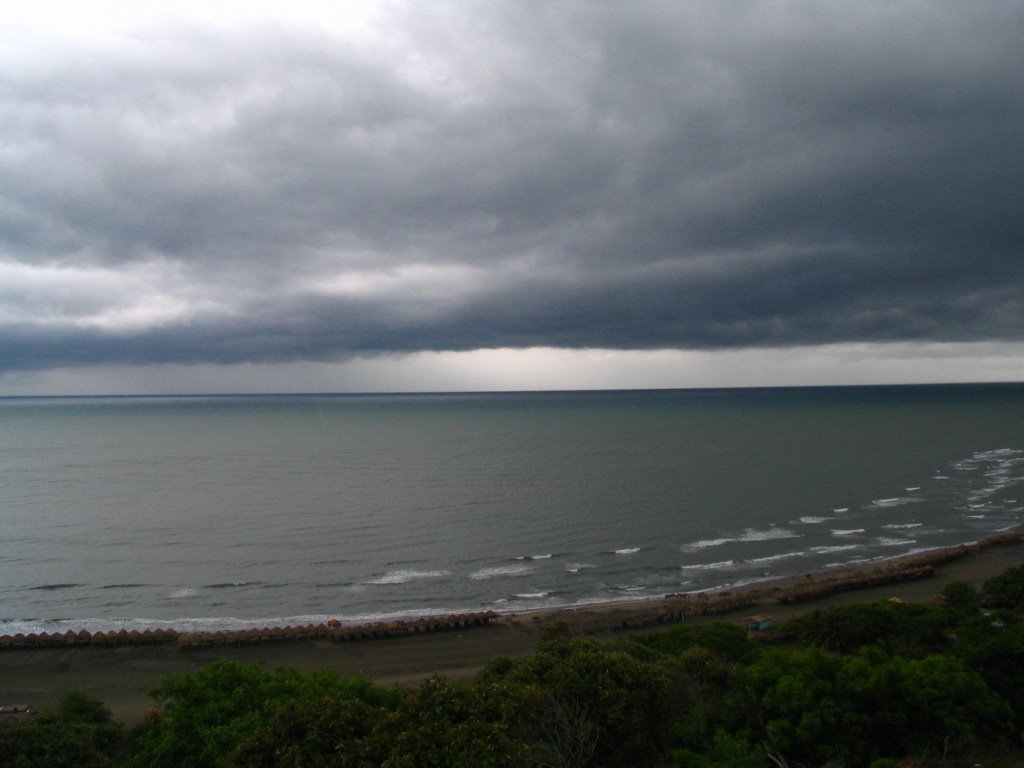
x=860 y=687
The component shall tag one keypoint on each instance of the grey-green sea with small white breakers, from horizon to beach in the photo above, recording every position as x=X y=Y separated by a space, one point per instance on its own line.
x=233 y=511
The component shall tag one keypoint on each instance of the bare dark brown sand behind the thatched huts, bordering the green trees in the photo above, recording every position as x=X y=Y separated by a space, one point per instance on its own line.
x=122 y=676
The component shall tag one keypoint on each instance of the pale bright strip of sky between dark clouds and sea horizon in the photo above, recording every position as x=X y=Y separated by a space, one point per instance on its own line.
x=545 y=369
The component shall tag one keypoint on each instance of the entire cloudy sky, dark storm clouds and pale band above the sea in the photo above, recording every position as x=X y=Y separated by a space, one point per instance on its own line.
x=242 y=197
